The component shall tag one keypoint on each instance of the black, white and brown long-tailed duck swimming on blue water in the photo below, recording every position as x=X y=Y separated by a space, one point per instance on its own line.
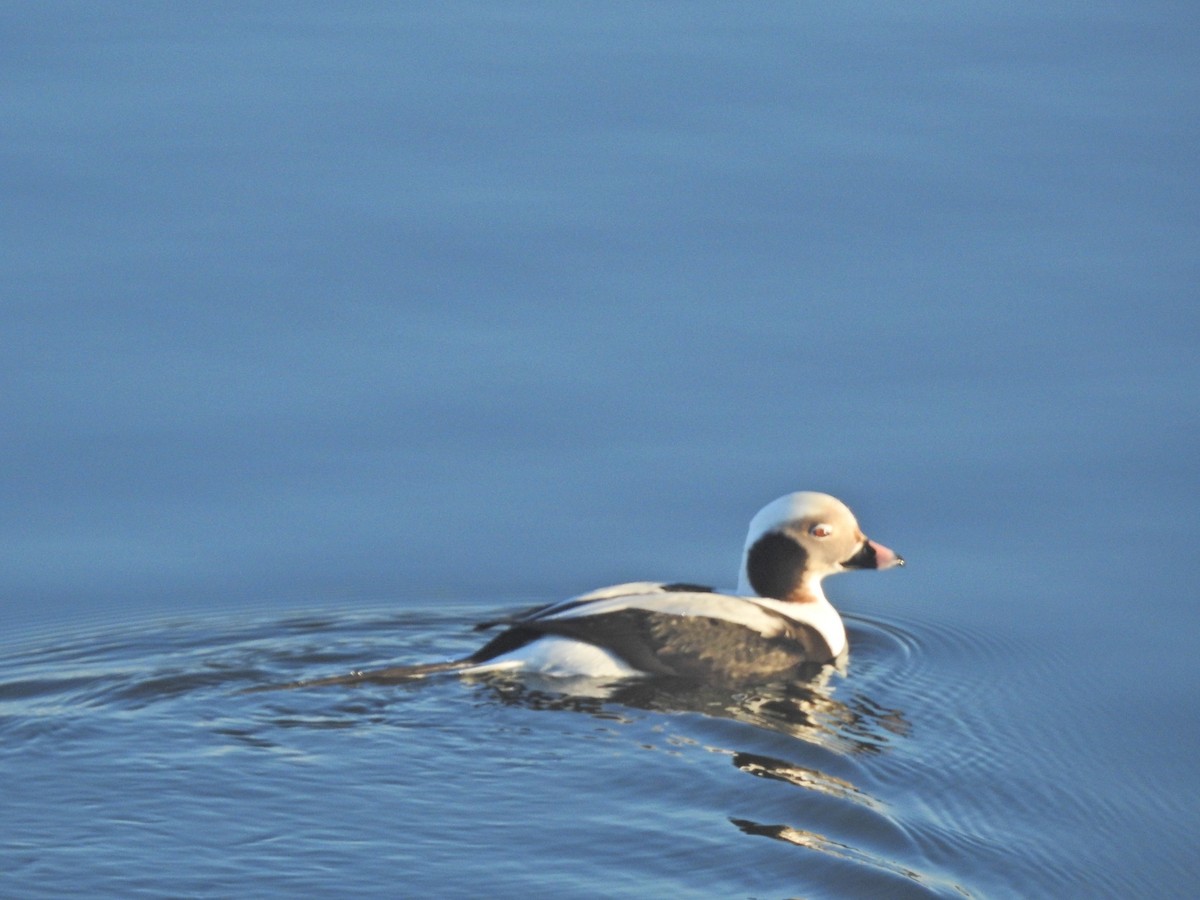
x=777 y=621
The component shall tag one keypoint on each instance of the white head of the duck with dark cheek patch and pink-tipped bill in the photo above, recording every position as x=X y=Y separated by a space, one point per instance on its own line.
x=797 y=541
